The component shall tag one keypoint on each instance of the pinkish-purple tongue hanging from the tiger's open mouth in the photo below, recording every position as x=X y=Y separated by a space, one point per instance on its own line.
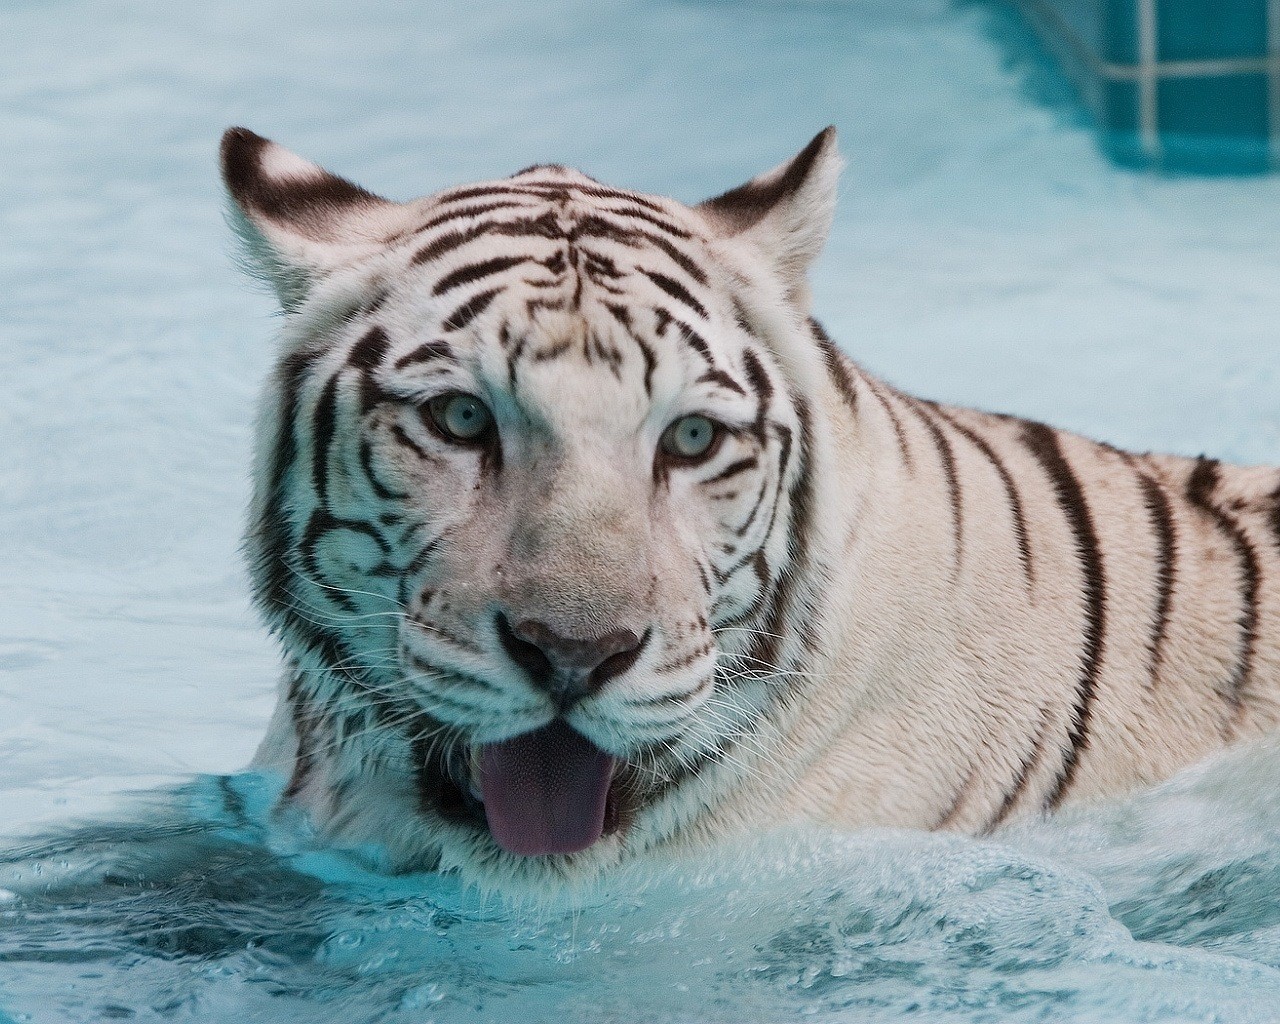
x=545 y=793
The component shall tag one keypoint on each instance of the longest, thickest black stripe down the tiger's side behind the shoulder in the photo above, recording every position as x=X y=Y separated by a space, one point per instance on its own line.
x=1044 y=445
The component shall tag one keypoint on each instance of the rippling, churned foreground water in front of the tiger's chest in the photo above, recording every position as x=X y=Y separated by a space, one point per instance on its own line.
x=204 y=911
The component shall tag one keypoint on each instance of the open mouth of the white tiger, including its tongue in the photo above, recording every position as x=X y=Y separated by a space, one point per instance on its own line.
x=546 y=793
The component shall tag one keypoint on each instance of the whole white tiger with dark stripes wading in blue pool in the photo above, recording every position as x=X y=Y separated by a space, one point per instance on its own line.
x=584 y=543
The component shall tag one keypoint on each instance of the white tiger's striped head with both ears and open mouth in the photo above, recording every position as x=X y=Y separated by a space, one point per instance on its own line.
x=532 y=486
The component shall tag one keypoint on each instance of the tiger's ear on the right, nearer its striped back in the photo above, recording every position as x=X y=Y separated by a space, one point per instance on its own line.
x=788 y=212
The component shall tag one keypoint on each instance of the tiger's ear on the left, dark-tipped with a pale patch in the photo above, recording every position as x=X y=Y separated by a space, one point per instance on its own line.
x=298 y=221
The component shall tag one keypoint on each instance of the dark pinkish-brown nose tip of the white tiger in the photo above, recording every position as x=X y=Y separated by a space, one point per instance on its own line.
x=569 y=668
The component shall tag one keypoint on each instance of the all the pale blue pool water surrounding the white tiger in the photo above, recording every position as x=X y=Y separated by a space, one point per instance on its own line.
x=984 y=254
